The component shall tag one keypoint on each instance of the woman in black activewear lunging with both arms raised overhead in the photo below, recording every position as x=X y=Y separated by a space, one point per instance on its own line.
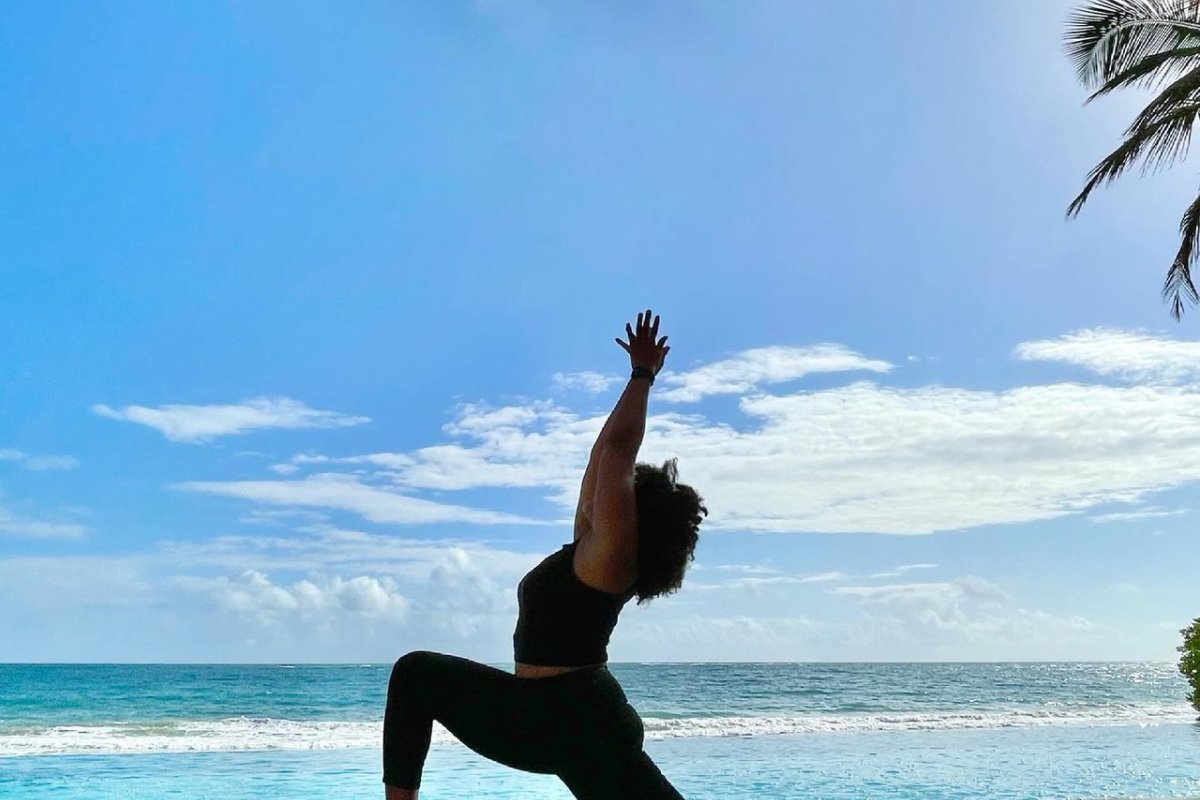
x=562 y=713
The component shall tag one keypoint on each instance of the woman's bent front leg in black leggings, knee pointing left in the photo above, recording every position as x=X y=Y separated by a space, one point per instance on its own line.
x=514 y=721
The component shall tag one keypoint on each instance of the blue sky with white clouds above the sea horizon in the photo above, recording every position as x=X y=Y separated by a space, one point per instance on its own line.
x=308 y=321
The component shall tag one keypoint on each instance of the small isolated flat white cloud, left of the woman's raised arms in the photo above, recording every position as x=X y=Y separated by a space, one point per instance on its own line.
x=199 y=424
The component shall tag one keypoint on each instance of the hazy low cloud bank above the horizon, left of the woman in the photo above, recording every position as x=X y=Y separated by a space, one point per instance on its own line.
x=320 y=593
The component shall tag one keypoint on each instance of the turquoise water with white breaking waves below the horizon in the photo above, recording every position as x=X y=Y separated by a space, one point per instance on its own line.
x=717 y=731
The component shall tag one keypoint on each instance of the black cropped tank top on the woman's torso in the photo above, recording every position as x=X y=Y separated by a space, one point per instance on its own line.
x=563 y=622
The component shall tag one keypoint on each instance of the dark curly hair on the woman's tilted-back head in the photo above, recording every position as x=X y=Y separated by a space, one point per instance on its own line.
x=668 y=530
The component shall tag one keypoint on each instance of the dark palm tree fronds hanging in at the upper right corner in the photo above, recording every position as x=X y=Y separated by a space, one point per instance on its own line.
x=1151 y=44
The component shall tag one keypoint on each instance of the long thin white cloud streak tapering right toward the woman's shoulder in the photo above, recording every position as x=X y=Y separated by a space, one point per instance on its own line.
x=347 y=494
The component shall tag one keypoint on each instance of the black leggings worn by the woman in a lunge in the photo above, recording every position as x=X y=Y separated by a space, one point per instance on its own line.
x=578 y=726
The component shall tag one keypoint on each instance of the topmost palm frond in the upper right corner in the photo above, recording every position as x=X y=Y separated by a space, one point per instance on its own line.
x=1108 y=38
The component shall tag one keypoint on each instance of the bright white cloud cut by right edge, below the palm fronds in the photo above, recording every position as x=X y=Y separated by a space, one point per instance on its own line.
x=1126 y=354
